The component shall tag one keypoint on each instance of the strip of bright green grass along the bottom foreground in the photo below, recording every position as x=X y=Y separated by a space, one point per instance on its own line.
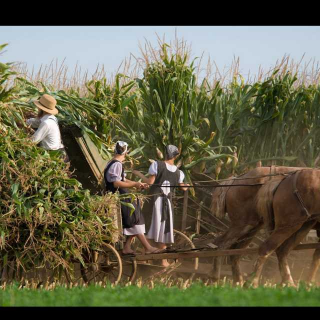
x=195 y=295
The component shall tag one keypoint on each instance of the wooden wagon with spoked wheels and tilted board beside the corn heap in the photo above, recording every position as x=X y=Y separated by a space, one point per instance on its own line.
x=106 y=264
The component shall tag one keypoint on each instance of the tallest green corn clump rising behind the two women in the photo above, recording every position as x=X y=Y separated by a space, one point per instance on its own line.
x=171 y=112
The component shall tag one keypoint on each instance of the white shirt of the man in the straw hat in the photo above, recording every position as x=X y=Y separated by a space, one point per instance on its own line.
x=48 y=133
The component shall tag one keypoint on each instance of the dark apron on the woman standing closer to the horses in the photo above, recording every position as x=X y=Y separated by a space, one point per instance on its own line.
x=156 y=191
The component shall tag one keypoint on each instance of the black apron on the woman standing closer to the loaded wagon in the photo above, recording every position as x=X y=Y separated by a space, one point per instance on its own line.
x=128 y=220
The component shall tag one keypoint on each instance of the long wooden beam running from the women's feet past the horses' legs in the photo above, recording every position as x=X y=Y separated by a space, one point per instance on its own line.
x=214 y=253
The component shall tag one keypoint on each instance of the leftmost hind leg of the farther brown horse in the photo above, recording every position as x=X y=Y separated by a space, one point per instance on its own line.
x=230 y=237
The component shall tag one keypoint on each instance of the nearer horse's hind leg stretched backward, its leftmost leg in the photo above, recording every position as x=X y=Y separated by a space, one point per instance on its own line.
x=280 y=235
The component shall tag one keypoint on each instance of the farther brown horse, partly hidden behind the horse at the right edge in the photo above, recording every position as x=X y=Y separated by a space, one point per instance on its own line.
x=240 y=205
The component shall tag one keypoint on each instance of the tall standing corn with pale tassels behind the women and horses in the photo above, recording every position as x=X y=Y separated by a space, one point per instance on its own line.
x=221 y=128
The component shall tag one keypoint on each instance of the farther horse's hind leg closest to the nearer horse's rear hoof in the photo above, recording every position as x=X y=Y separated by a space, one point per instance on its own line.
x=243 y=242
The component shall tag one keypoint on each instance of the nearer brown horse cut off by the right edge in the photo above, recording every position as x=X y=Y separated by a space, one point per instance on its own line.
x=296 y=210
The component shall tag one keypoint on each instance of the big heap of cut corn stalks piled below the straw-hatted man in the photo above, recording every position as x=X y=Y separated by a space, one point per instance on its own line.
x=45 y=215
